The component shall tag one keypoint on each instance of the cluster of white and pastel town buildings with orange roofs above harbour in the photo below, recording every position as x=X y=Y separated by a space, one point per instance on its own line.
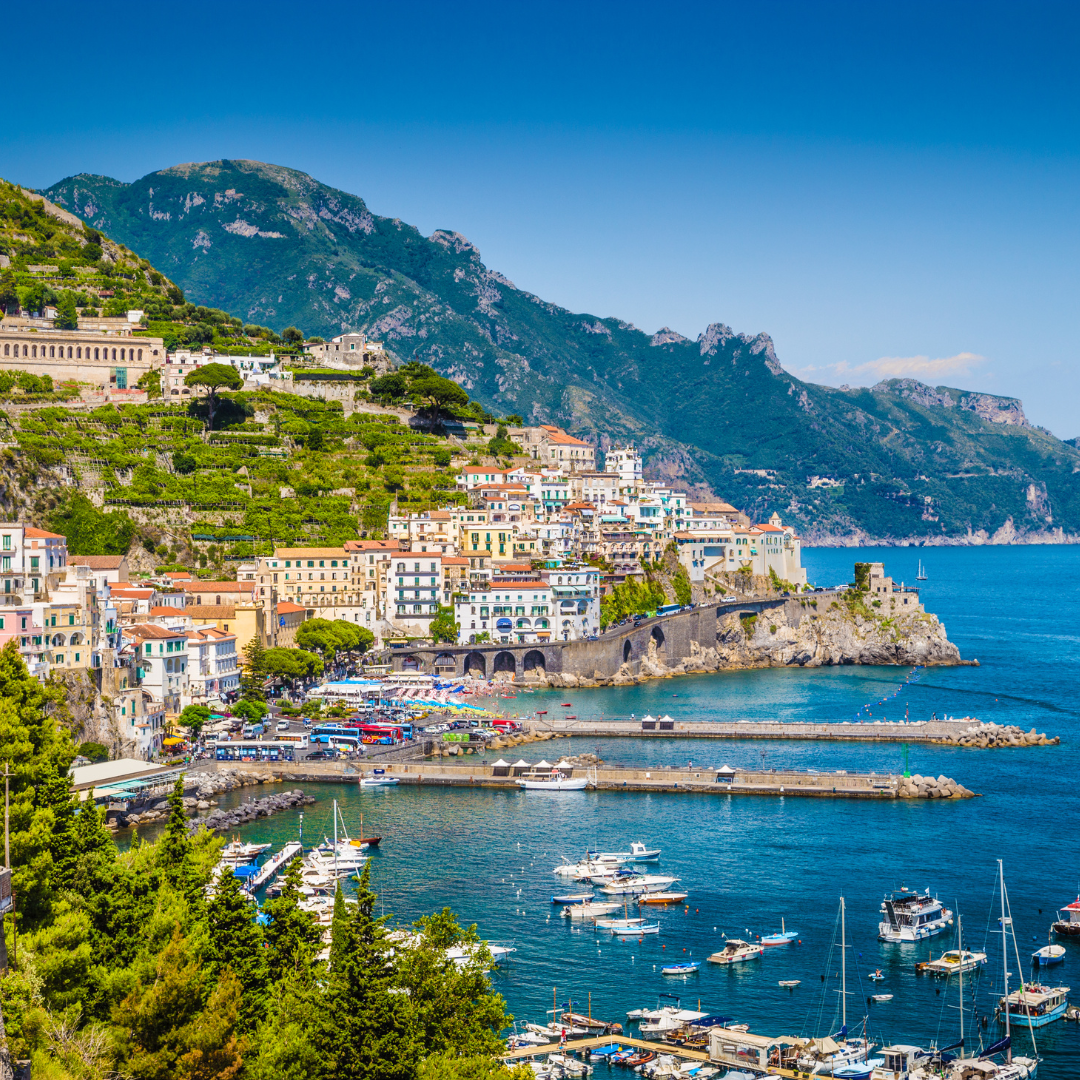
x=525 y=555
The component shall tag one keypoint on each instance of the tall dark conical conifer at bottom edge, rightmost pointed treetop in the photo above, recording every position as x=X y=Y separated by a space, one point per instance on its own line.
x=369 y=1032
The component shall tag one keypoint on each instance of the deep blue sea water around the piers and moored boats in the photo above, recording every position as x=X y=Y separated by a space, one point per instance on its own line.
x=749 y=862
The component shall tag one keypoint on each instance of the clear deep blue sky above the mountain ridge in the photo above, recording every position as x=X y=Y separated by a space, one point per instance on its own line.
x=887 y=190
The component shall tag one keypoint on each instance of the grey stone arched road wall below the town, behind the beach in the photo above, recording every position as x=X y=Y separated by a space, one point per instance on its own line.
x=670 y=637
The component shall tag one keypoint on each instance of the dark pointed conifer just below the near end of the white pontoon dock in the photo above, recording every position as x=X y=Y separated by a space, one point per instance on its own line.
x=237 y=946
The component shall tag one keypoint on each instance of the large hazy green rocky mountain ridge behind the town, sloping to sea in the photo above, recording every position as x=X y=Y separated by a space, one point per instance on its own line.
x=899 y=462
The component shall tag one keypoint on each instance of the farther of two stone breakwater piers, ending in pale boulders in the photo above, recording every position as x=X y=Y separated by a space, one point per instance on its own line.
x=966 y=733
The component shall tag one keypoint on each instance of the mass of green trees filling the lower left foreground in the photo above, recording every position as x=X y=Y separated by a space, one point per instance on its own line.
x=143 y=964
